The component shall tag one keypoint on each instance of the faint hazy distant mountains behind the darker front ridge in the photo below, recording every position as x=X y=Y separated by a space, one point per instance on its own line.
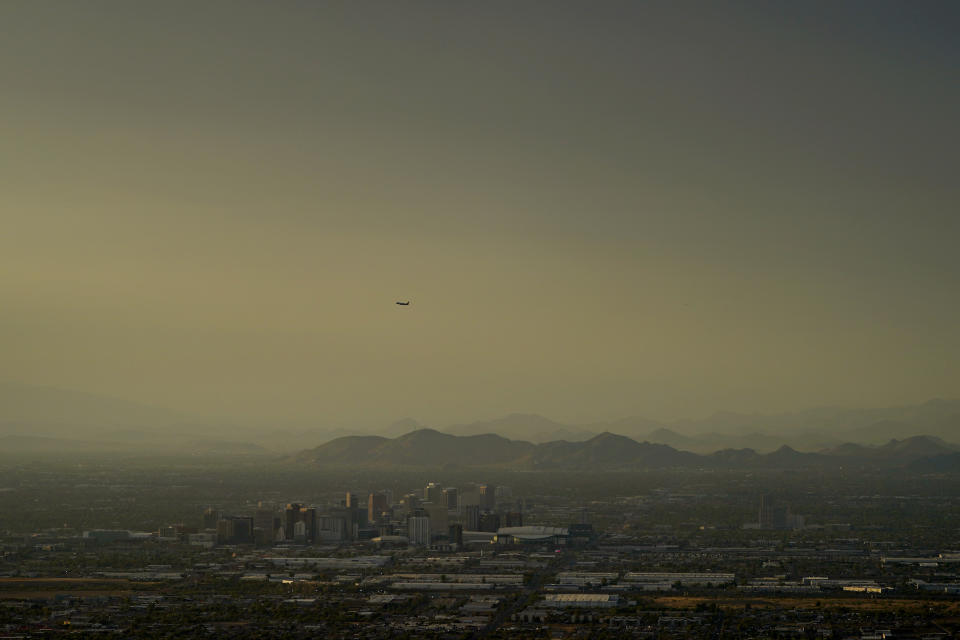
x=48 y=420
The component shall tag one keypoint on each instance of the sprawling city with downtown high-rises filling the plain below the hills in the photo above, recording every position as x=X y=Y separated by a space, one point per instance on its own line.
x=669 y=561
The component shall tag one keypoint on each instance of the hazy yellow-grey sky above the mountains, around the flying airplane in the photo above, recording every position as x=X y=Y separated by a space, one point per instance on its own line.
x=596 y=209
